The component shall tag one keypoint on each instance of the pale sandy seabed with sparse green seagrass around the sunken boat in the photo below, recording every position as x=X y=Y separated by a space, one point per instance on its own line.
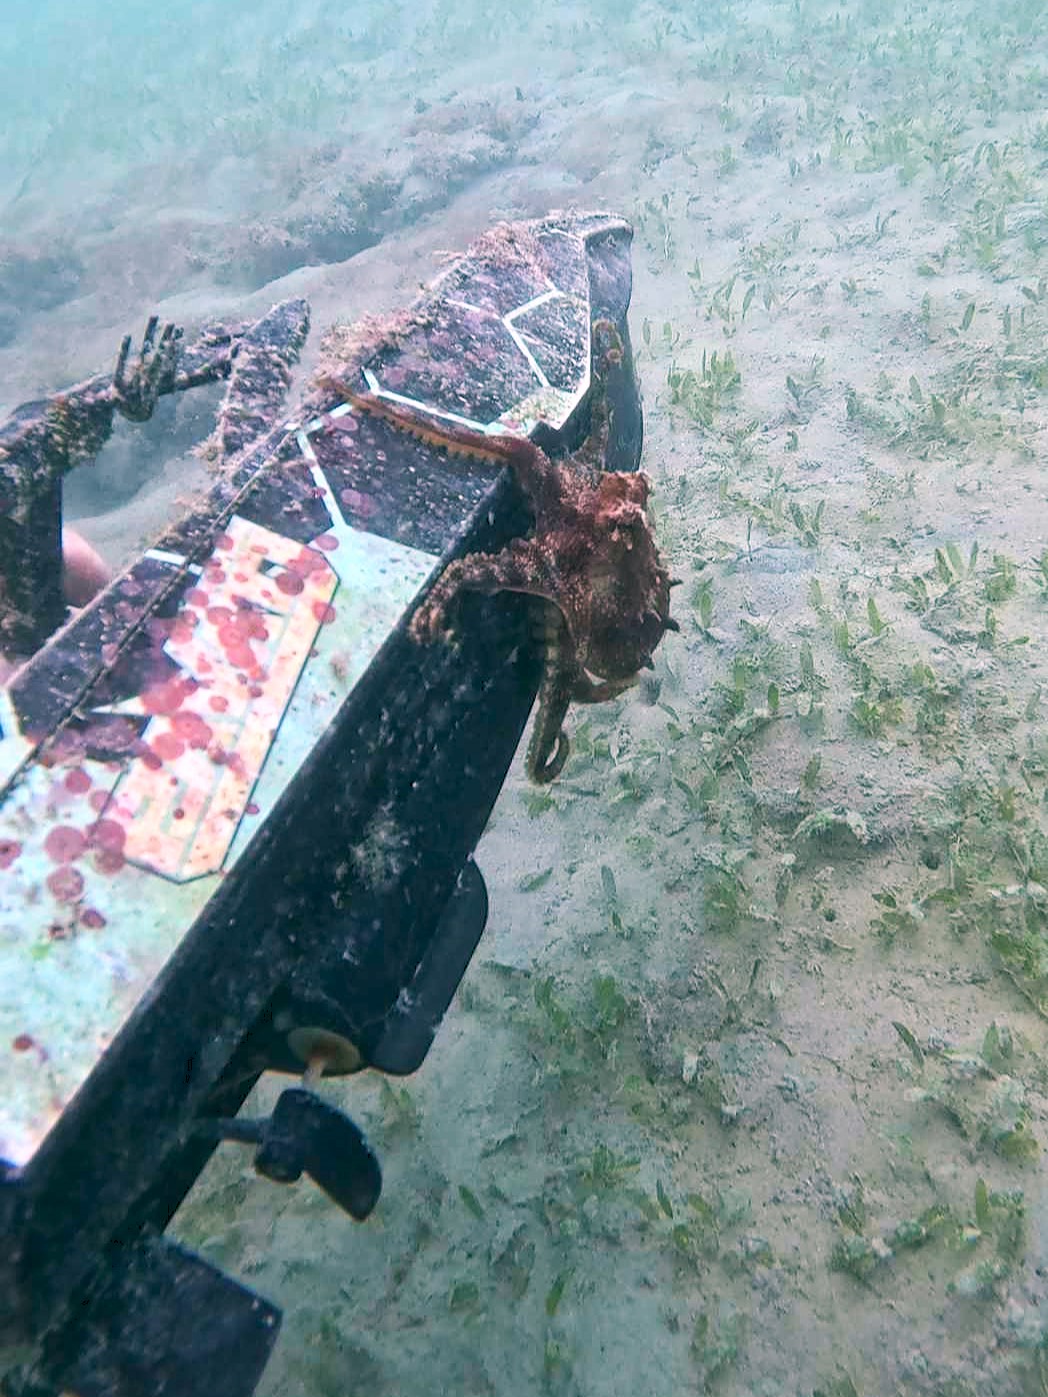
x=745 y=1090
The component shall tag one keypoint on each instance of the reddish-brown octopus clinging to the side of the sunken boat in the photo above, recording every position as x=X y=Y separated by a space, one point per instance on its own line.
x=593 y=559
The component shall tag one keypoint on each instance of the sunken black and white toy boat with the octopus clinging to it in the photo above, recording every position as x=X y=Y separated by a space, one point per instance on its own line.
x=241 y=791
